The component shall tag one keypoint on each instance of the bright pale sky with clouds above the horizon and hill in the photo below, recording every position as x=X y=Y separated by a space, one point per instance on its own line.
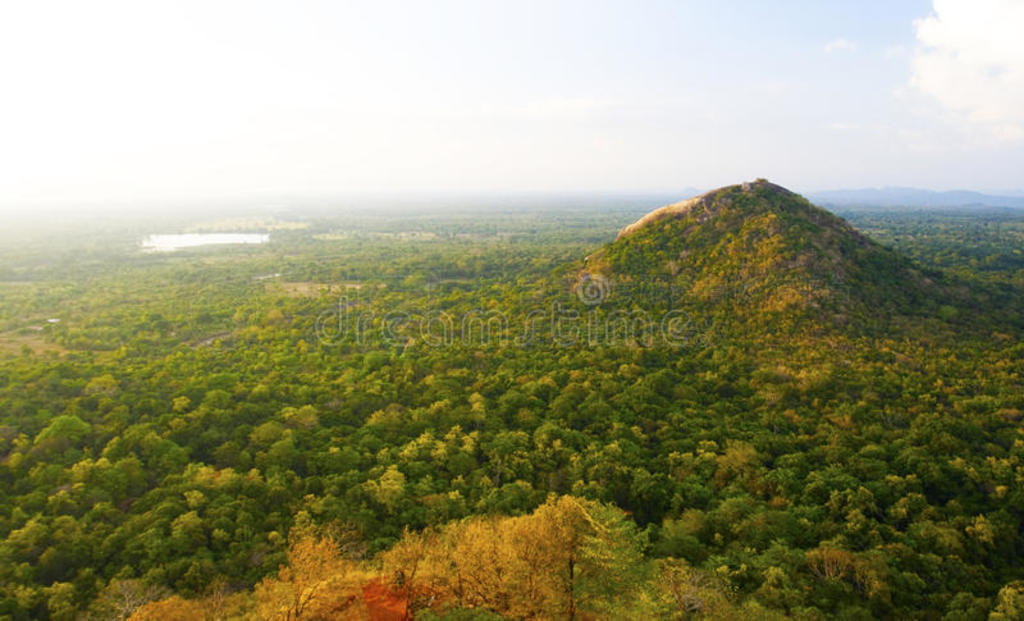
x=143 y=100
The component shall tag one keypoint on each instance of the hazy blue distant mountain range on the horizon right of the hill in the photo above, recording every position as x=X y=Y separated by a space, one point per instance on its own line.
x=913 y=197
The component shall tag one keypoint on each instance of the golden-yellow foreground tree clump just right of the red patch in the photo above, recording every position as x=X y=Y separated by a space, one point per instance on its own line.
x=572 y=558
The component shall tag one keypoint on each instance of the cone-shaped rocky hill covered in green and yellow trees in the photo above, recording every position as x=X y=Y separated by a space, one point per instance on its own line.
x=758 y=254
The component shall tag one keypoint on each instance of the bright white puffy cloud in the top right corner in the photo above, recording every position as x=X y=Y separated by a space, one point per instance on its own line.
x=970 y=60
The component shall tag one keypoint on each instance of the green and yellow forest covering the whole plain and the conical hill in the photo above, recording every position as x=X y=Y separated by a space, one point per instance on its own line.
x=743 y=409
